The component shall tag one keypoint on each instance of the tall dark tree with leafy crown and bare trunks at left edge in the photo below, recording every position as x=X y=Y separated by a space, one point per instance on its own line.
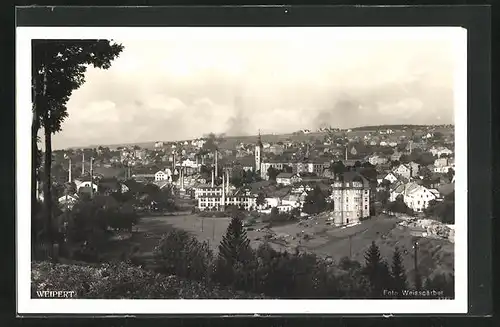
x=59 y=68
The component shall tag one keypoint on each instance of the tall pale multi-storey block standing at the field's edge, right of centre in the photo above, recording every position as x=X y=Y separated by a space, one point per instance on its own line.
x=351 y=198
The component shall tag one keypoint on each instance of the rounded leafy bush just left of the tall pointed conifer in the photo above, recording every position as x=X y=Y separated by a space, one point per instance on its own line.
x=183 y=255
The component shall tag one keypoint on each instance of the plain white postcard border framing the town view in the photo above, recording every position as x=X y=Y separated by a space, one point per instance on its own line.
x=26 y=305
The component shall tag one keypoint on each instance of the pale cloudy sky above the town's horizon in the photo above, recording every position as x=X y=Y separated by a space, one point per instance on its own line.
x=184 y=85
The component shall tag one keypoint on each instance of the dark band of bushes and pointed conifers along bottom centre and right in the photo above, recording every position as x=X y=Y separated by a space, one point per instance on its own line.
x=287 y=275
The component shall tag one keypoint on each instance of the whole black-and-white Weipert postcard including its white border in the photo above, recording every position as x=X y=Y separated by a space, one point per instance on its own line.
x=258 y=164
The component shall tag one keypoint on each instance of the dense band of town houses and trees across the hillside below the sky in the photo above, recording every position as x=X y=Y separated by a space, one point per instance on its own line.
x=350 y=167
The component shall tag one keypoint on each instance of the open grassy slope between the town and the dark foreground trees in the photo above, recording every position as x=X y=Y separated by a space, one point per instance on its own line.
x=434 y=255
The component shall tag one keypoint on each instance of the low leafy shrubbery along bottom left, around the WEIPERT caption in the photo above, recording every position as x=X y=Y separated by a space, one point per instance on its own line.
x=121 y=281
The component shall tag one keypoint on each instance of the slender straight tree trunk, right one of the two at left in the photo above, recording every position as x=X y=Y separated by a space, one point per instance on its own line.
x=47 y=196
